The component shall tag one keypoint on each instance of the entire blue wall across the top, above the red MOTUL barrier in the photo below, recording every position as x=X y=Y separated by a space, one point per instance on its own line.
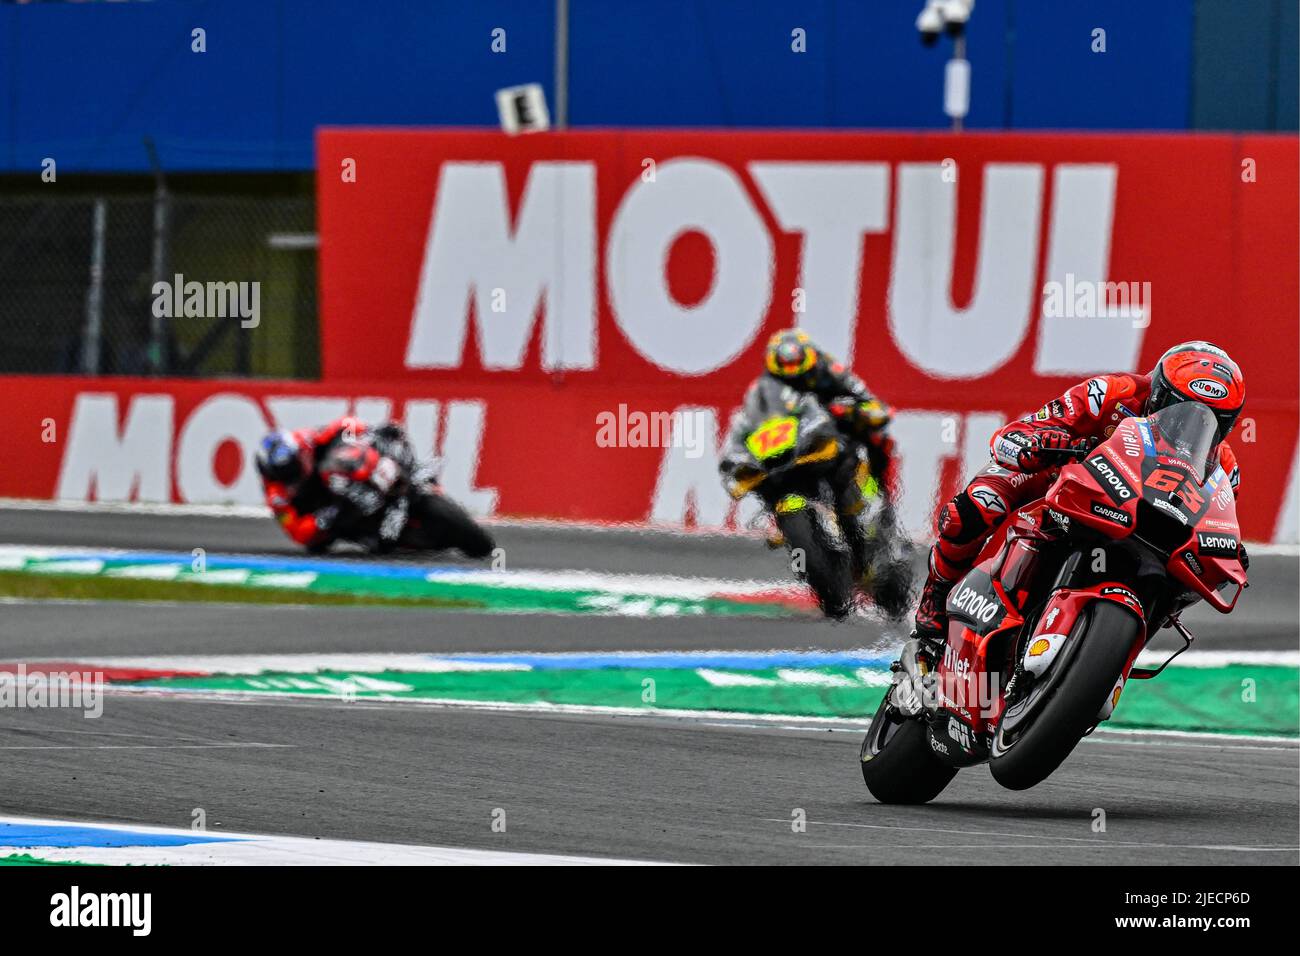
x=88 y=83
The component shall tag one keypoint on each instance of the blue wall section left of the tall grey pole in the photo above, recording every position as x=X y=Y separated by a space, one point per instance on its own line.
x=86 y=83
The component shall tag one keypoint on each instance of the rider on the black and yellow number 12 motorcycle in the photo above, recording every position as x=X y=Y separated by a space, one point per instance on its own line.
x=794 y=360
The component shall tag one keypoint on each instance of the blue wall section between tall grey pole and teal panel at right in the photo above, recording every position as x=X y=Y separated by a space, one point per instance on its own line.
x=727 y=62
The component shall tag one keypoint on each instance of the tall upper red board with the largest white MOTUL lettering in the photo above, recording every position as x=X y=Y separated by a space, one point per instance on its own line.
x=968 y=279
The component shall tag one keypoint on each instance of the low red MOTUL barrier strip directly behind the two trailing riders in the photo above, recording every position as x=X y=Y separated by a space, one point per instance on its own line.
x=512 y=451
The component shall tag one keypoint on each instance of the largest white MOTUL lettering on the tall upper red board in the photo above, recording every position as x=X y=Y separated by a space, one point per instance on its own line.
x=505 y=269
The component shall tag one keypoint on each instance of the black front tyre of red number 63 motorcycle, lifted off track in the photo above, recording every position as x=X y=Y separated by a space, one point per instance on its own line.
x=1073 y=704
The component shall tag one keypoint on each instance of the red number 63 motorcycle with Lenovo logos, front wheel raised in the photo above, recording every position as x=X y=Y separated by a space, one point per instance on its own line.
x=1045 y=631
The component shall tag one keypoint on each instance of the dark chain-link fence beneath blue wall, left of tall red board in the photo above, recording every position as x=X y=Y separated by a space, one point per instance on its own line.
x=159 y=285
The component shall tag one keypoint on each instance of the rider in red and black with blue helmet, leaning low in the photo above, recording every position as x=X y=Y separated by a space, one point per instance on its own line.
x=298 y=491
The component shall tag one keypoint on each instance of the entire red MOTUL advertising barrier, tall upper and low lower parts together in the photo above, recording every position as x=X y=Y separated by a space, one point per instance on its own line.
x=570 y=319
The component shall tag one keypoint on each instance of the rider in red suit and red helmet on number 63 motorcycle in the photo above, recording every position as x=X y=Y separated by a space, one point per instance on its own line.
x=1028 y=456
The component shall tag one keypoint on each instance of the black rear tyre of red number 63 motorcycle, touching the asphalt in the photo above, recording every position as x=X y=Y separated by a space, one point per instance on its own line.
x=898 y=764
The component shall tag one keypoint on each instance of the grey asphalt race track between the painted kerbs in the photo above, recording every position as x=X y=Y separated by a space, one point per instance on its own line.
x=656 y=789
